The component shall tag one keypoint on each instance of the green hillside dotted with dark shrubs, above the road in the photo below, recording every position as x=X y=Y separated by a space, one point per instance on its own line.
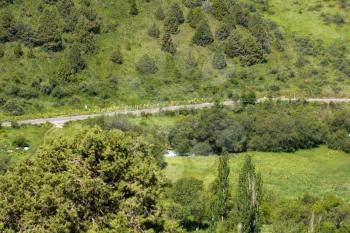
x=59 y=56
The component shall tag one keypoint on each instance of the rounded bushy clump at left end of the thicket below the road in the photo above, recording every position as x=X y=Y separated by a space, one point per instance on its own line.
x=210 y=132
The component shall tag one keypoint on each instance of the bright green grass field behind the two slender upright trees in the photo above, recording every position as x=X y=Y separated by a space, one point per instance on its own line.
x=318 y=171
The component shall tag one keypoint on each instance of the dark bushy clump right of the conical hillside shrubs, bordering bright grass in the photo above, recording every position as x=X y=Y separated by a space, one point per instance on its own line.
x=243 y=45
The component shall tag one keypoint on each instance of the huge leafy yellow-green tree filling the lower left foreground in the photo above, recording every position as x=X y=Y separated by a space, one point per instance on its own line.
x=101 y=174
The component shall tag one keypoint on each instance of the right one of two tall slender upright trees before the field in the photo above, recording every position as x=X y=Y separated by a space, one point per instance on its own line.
x=249 y=198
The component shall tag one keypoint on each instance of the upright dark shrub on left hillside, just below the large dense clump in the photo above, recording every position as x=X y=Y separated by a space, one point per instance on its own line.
x=71 y=64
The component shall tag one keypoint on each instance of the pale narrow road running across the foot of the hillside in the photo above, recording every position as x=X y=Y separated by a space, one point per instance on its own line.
x=60 y=121
